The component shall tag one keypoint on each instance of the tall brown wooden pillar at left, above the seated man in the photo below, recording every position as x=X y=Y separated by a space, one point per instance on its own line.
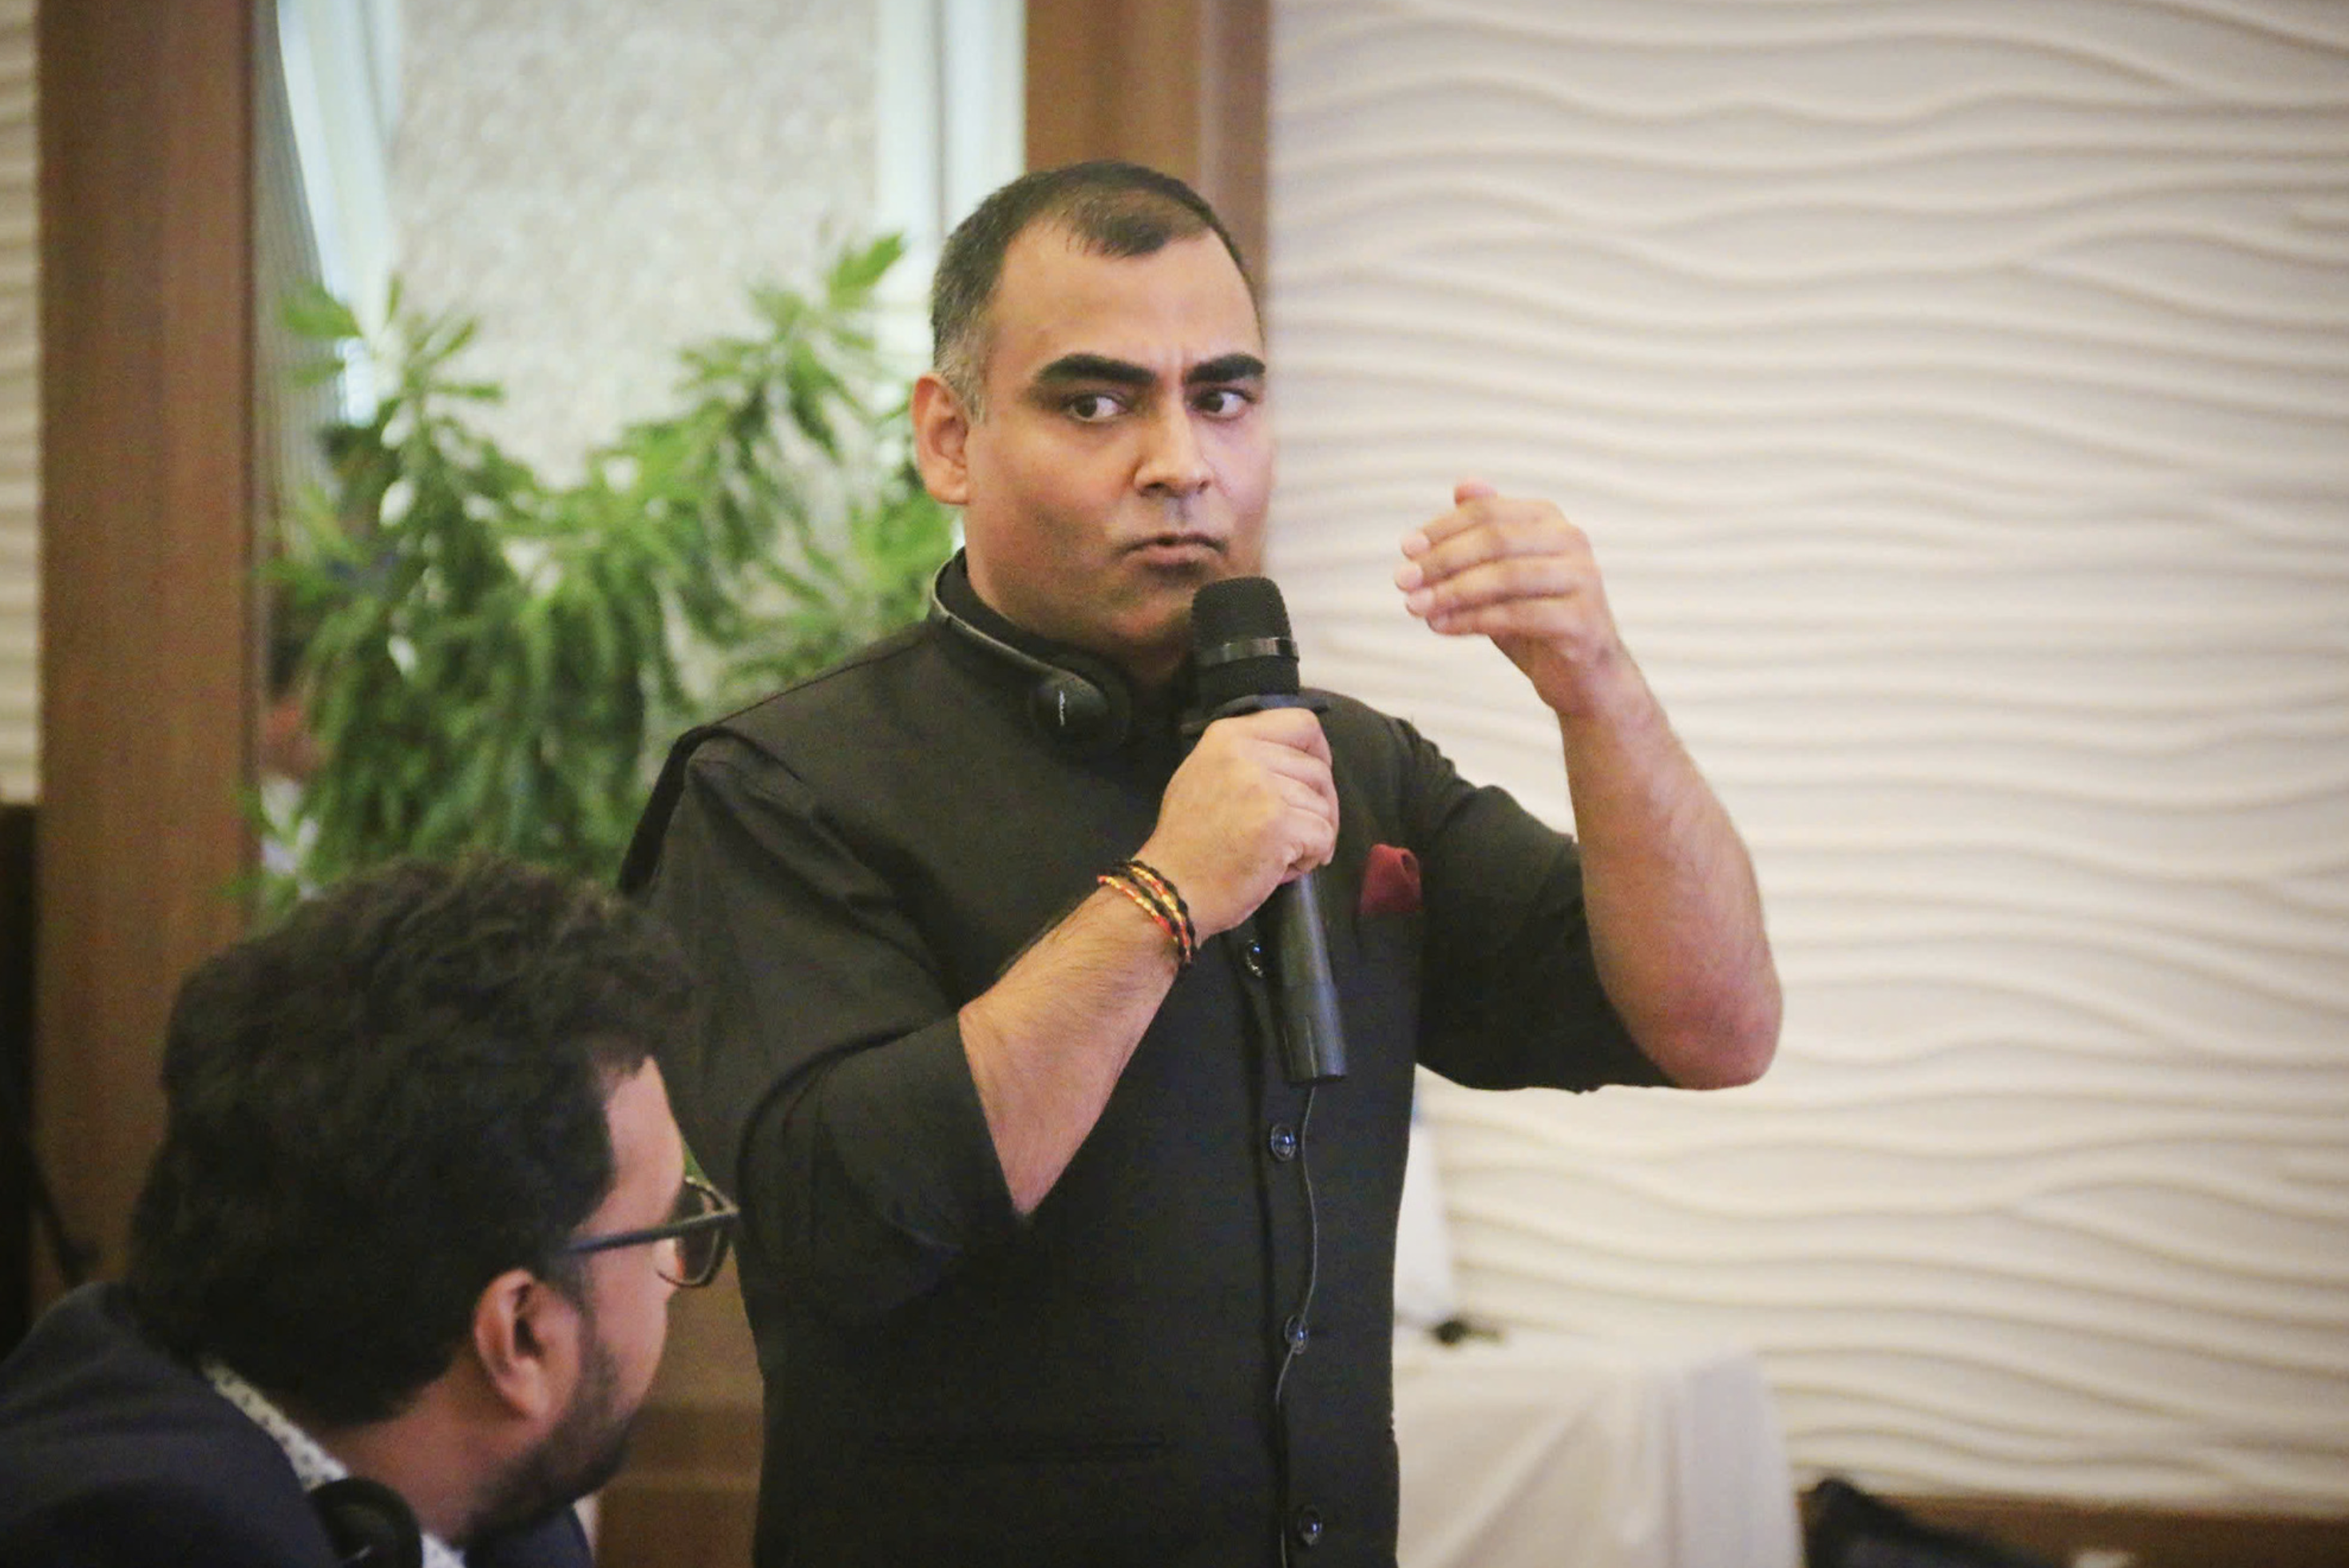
x=147 y=560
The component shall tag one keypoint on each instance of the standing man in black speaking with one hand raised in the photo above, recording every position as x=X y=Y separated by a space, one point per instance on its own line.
x=1049 y=1252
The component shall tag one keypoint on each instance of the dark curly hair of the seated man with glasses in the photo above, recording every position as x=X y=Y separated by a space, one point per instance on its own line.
x=382 y=1107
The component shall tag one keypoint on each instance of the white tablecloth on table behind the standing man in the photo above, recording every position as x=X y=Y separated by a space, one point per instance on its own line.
x=1549 y=1452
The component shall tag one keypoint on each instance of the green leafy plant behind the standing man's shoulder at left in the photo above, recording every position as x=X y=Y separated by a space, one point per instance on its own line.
x=492 y=663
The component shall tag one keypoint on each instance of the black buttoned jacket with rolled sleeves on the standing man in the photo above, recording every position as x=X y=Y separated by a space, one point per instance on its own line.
x=854 y=860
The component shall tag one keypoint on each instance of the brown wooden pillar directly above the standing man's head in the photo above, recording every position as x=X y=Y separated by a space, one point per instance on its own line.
x=1178 y=86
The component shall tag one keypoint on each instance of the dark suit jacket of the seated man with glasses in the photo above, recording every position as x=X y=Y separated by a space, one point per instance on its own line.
x=116 y=1454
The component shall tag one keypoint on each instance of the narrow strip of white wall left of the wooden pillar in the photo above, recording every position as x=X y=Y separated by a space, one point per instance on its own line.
x=20 y=410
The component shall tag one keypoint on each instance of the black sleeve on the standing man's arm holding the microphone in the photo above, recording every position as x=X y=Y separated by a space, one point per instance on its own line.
x=828 y=1088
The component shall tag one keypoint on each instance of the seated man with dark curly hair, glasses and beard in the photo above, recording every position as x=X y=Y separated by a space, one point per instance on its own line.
x=401 y=1271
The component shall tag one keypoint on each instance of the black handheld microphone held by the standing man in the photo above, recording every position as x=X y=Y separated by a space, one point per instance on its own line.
x=1246 y=663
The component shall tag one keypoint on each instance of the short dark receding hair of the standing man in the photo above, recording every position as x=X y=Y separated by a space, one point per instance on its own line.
x=1108 y=208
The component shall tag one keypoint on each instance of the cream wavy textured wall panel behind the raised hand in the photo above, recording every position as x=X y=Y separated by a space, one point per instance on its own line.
x=1958 y=398
